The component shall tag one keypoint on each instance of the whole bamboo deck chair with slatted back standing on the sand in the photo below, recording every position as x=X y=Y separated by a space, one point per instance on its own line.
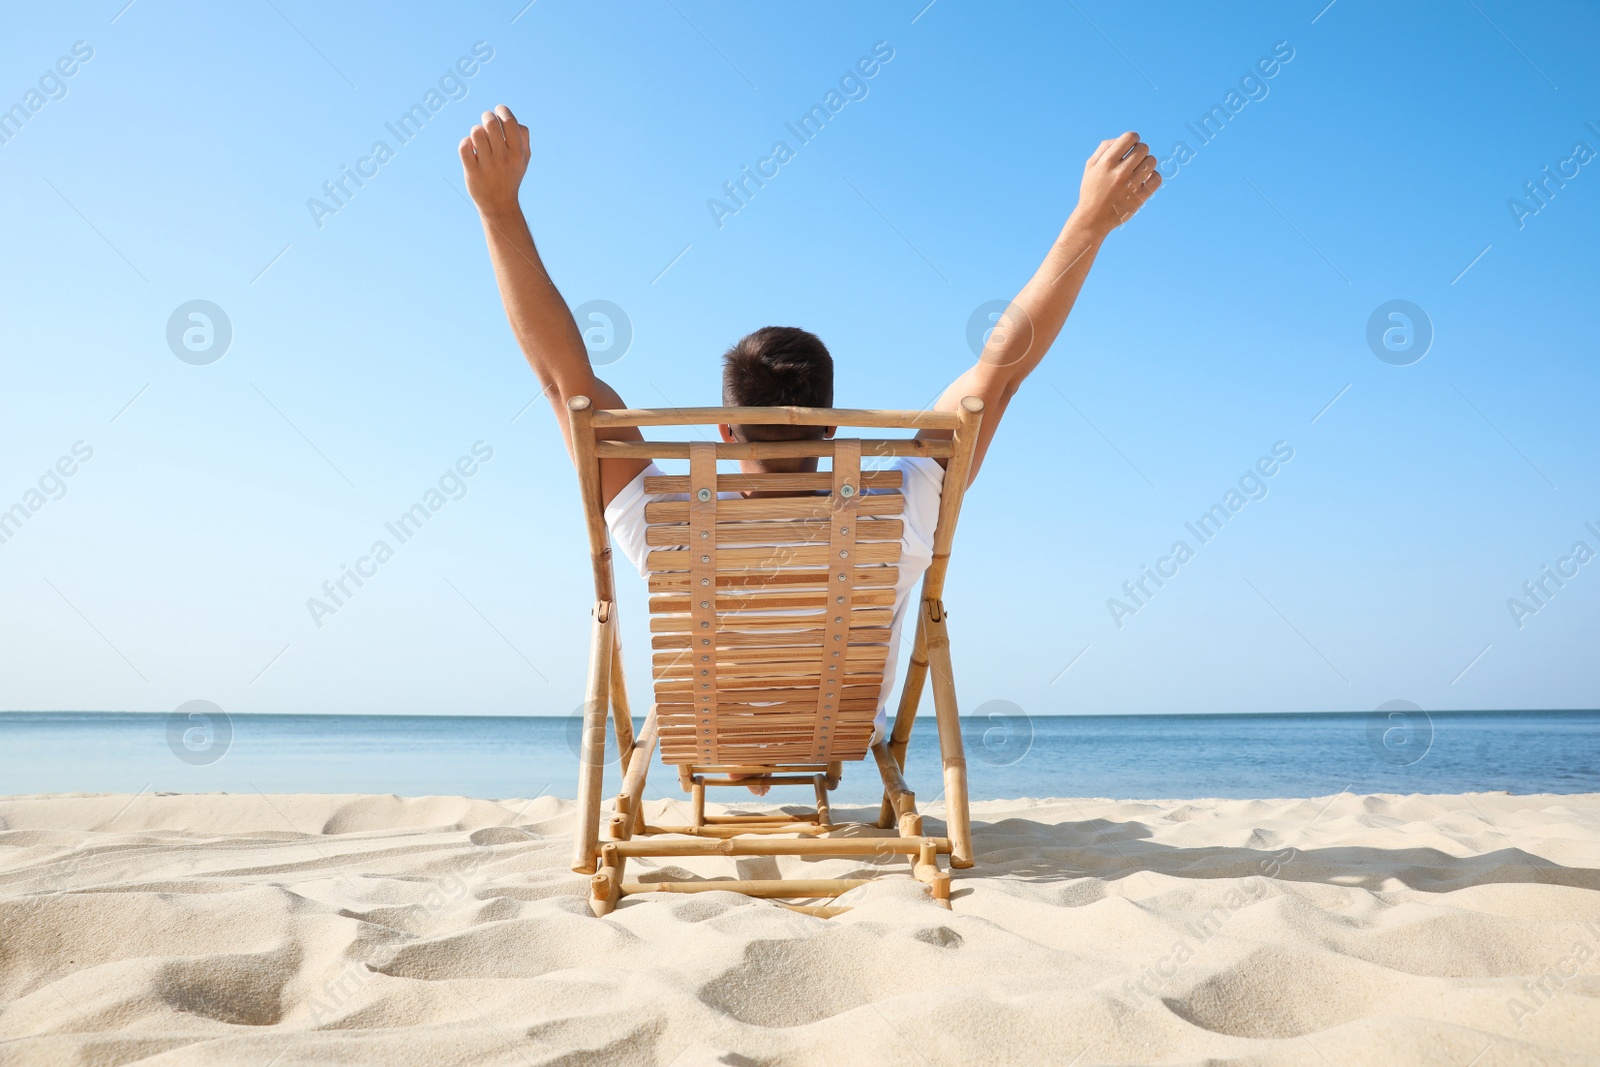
x=770 y=625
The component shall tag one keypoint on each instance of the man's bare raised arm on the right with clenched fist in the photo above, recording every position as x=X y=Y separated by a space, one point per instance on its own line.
x=1118 y=180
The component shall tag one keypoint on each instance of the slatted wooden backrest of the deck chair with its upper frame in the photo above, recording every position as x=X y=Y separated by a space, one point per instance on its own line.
x=770 y=615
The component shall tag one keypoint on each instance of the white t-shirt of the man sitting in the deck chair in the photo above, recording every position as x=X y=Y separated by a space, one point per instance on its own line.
x=922 y=479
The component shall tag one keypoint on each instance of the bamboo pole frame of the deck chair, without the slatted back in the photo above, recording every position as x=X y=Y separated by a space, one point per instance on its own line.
x=777 y=834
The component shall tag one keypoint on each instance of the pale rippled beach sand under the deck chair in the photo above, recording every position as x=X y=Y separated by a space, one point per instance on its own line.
x=318 y=930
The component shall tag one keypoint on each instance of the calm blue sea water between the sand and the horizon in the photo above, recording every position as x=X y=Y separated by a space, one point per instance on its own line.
x=1124 y=757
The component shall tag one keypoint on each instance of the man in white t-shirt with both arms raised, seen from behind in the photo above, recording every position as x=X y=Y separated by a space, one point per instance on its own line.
x=783 y=366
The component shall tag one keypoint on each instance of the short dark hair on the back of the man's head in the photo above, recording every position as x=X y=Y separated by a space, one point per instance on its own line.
x=778 y=367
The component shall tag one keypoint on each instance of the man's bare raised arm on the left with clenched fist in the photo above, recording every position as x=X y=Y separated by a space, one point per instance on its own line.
x=494 y=159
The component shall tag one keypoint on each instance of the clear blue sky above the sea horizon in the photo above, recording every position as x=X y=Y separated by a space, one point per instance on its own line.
x=369 y=353
